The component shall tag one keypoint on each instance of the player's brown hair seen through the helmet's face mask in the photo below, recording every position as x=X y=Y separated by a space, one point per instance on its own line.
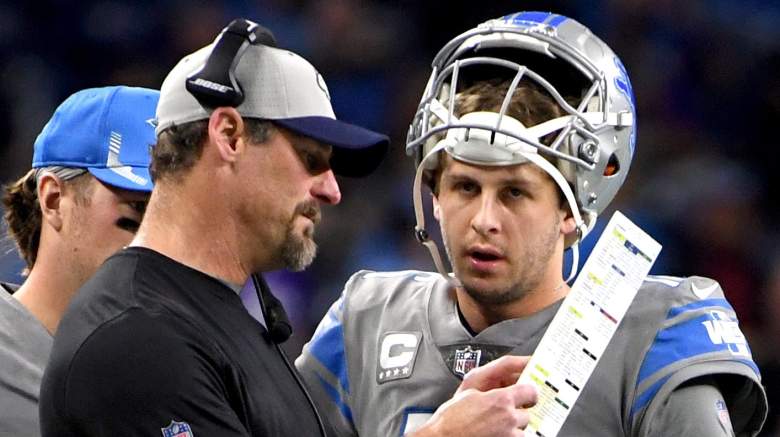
x=529 y=105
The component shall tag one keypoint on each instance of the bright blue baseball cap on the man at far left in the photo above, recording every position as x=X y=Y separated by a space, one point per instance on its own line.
x=107 y=131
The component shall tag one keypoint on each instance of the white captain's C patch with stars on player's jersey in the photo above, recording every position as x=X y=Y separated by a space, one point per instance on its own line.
x=396 y=355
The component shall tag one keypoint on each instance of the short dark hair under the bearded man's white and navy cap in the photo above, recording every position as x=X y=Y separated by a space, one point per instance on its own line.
x=179 y=147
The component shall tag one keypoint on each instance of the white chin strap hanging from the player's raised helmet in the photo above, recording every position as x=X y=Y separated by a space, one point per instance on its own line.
x=450 y=144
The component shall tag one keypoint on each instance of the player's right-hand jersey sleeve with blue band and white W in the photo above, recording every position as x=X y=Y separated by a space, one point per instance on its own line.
x=699 y=339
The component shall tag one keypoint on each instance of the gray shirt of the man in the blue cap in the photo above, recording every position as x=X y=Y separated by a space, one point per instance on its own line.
x=24 y=350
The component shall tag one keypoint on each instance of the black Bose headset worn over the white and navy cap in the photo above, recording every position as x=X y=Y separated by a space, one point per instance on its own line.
x=215 y=83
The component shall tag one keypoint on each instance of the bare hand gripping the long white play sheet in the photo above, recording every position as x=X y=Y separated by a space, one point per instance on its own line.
x=487 y=403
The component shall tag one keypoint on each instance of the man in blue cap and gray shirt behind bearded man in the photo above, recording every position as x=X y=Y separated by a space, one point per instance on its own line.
x=82 y=200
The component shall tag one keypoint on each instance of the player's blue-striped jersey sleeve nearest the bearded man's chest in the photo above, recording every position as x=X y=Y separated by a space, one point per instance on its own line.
x=323 y=365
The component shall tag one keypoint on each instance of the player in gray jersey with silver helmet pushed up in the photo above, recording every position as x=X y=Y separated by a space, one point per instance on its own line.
x=524 y=134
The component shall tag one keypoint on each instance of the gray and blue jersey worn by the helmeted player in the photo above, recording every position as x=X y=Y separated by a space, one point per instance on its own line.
x=393 y=348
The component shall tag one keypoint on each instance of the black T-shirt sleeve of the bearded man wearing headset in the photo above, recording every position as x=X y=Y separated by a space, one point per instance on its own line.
x=140 y=375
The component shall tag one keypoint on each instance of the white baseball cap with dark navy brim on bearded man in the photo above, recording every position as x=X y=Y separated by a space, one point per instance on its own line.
x=282 y=87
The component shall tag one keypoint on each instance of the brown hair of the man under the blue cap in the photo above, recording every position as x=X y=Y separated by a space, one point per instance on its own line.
x=23 y=215
